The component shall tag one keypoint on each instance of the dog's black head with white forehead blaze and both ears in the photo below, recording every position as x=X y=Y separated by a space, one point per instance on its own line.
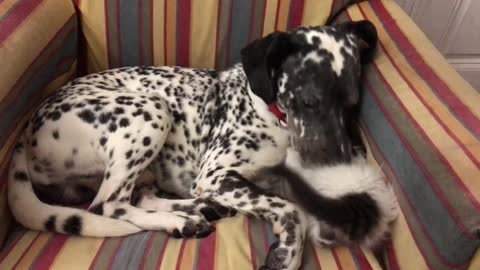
x=314 y=75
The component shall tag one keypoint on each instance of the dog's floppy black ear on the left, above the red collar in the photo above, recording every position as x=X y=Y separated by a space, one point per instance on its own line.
x=261 y=61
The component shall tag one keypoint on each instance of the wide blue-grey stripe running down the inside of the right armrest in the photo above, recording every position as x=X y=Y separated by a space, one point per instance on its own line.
x=441 y=227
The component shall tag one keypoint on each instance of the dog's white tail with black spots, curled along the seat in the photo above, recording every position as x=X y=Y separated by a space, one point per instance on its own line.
x=34 y=214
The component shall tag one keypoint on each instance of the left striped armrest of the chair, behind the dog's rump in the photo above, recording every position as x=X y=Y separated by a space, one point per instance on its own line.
x=38 y=48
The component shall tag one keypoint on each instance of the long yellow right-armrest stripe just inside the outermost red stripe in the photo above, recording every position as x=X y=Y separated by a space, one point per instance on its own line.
x=464 y=135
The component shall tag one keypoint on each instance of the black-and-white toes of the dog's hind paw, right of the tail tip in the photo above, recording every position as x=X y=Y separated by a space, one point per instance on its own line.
x=193 y=228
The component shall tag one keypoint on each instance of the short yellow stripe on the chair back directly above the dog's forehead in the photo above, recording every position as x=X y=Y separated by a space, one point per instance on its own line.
x=316 y=12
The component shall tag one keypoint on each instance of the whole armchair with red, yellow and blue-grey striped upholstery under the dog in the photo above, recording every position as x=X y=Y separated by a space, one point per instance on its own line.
x=421 y=121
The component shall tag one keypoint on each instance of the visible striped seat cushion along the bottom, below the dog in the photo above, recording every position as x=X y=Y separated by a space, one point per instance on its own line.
x=238 y=243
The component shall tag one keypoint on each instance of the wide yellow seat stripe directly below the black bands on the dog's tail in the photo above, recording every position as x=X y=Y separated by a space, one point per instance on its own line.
x=77 y=253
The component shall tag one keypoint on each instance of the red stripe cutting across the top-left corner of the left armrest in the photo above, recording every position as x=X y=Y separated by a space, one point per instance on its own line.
x=15 y=18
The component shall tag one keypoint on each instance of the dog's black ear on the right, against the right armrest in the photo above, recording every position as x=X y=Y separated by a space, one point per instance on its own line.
x=367 y=36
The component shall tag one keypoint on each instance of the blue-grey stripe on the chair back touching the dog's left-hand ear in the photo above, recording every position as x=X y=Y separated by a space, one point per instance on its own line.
x=240 y=28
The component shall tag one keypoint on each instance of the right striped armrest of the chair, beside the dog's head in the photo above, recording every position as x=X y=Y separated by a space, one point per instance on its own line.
x=423 y=126
